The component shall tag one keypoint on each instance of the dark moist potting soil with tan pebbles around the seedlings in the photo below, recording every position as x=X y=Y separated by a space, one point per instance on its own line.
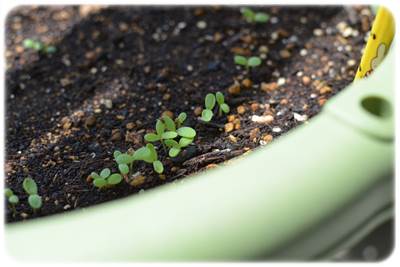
x=117 y=69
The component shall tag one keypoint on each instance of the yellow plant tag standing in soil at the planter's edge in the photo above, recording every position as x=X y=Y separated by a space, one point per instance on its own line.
x=378 y=43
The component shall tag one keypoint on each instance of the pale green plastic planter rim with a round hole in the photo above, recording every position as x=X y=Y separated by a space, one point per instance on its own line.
x=312 y=192
